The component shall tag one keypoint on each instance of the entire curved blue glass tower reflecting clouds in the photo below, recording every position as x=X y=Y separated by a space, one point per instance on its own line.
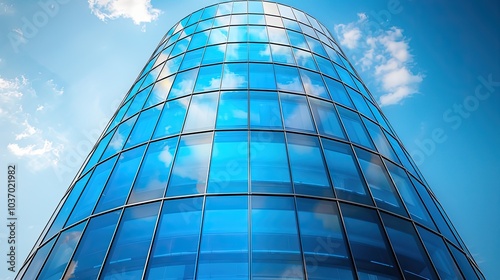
x=249 y=148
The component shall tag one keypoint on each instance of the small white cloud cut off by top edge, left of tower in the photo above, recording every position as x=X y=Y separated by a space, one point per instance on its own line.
x=139 y=11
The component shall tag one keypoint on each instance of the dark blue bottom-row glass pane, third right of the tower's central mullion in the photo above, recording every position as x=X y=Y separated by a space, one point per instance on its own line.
x=369 y=246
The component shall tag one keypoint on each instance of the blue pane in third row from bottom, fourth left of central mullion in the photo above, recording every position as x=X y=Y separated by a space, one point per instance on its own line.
x=144 y=127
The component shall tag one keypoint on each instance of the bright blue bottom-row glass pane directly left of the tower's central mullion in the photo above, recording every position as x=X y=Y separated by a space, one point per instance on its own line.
x=224 y=239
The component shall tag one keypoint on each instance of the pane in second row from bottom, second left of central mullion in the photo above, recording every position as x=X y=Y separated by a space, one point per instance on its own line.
x=189 y=172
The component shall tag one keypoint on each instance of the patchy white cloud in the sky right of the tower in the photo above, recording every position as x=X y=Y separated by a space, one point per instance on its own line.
x=384 y=56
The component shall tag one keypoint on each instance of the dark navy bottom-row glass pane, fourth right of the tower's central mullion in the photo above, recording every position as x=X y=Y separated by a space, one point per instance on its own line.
x=409 y=250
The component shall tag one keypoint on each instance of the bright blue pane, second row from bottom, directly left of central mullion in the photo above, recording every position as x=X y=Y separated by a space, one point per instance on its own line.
x=229 y=165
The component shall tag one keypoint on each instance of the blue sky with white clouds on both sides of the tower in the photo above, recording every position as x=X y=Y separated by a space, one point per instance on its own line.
x=434 y=67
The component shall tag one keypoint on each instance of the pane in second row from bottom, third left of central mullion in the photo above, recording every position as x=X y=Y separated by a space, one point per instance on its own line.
x=155 y=170
